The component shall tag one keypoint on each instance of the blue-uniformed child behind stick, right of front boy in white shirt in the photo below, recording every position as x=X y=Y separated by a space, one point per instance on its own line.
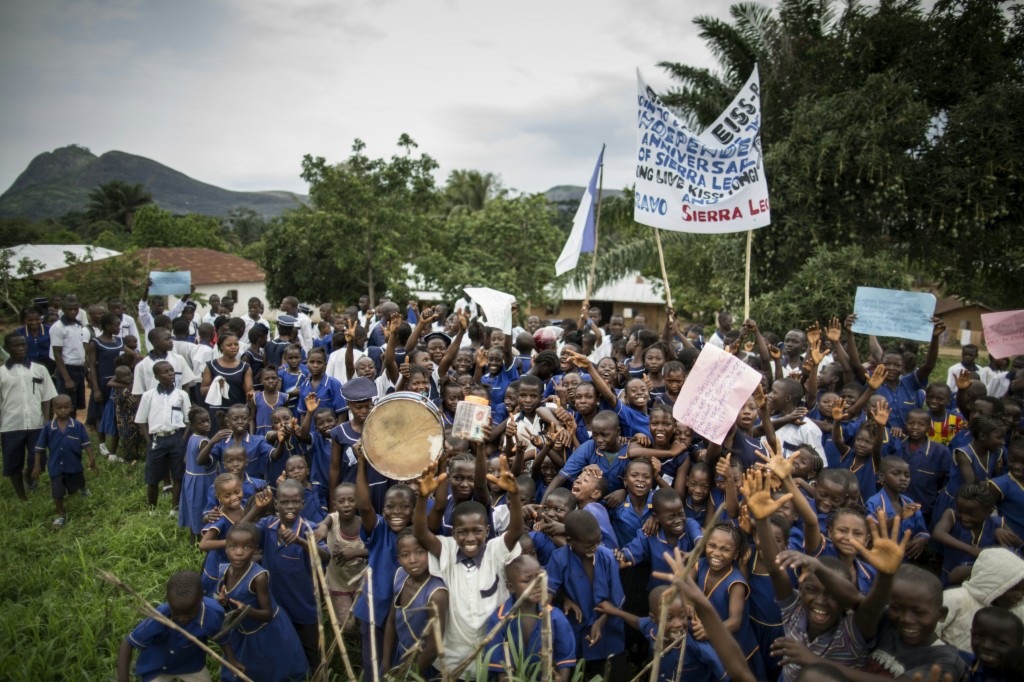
x=518 y=647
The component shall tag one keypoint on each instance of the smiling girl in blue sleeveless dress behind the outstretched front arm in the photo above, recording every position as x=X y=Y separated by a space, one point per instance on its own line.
x=723 y=584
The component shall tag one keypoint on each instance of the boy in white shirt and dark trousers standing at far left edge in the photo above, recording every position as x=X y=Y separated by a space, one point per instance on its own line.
x=26 y=392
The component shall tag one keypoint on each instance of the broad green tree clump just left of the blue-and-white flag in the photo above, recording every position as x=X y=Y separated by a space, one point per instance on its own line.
x=509 y=245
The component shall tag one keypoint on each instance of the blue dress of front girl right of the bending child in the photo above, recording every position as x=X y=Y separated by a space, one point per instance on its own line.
x=271 y=652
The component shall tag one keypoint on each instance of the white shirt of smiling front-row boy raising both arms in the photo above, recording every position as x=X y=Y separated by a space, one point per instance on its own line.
x=477 y=591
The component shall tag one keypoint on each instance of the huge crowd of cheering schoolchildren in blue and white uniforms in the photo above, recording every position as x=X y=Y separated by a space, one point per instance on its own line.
x=859 y=522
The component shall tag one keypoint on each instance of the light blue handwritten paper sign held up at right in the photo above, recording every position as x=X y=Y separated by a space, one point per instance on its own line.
x=905 y=315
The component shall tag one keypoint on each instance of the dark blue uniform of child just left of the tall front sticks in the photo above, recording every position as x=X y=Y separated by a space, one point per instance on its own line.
x=291 y=573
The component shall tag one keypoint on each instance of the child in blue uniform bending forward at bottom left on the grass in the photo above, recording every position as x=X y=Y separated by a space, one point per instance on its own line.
x=163 y=651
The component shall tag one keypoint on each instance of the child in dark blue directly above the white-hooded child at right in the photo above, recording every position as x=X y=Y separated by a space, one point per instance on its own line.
x=966 y=530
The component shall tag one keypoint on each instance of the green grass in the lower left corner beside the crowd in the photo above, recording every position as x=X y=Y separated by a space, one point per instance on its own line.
x=58 y=620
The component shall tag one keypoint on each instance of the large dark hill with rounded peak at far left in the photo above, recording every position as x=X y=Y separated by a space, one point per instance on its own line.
x=60 y=182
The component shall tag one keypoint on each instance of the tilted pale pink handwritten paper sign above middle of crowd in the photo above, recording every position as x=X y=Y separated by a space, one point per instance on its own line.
x=715 y=392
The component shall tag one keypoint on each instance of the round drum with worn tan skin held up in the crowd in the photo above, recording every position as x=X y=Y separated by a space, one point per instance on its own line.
x=403 y=435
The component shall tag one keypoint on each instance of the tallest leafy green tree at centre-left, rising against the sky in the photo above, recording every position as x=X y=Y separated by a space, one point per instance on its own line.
x=369 y=219
